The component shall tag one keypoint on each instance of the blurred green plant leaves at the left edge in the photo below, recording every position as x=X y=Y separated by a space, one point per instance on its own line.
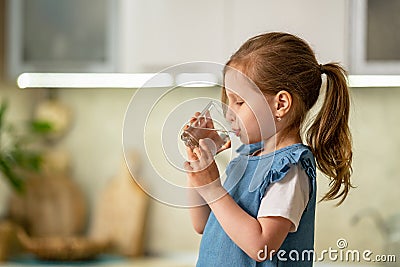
x=17 y=156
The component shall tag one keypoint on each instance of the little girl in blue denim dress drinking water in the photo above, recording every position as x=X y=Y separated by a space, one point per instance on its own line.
x=271 y=222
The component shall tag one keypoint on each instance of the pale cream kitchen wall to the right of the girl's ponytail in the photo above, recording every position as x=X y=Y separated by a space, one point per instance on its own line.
x=376 y=176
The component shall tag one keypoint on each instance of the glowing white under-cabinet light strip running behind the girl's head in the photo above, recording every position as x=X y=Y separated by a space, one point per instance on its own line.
x=150 y=80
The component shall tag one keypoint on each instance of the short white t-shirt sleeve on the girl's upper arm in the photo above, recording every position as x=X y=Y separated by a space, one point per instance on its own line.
x=287 y=198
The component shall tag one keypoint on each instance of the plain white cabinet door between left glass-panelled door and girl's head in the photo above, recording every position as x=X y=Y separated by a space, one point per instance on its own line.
x=157 y=34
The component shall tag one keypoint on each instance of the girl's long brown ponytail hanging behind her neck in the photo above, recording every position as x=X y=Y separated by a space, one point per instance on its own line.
x=329 y=136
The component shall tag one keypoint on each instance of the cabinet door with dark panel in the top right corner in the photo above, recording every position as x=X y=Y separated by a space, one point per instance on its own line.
x=375 y=37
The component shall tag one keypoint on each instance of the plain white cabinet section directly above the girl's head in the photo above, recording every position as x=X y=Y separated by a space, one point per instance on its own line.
x=320 y=23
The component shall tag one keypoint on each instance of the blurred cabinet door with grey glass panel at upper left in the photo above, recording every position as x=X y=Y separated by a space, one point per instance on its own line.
x=60 y=36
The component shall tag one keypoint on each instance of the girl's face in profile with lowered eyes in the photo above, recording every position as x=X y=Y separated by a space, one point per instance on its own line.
x=249 y=113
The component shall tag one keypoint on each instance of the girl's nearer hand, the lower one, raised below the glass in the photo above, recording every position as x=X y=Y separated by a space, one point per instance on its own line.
x=202 y=170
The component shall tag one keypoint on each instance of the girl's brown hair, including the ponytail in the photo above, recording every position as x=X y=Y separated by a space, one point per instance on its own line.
x=280 y=61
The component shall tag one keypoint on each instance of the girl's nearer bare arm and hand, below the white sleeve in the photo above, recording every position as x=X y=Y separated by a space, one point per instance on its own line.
x=251 y=234
